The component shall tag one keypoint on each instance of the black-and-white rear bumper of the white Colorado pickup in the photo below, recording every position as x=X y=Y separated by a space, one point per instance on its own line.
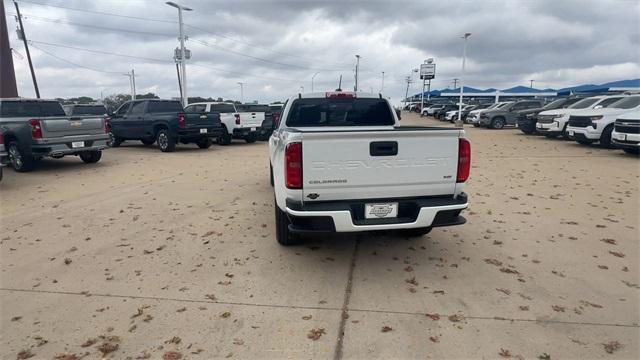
x=348 y=216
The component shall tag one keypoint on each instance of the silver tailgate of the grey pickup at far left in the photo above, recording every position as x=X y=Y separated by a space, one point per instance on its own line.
x=70 y=126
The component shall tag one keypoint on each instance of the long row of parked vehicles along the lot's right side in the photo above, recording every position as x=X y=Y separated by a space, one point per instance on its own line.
x=611 y=120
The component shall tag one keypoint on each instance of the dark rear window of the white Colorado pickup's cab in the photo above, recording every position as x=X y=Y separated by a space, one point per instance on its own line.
x=340 y=112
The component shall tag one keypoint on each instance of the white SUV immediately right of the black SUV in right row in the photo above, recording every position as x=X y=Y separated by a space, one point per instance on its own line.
x=553 y=123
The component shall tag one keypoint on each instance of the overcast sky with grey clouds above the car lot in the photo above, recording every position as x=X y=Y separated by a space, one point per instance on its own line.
x=276 y=47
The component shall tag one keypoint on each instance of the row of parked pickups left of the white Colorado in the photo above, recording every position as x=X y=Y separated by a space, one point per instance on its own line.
x=32 y=129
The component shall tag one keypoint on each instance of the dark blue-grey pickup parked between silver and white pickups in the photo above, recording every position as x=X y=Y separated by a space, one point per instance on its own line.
x=164 y=122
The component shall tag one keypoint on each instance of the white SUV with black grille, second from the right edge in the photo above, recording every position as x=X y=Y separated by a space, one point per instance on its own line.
x=589 y=126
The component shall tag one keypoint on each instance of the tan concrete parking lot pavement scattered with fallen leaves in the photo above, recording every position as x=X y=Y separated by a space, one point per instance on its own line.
x=152 y=255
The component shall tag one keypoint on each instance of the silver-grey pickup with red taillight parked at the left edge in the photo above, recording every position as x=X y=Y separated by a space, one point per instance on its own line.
x=37 y=128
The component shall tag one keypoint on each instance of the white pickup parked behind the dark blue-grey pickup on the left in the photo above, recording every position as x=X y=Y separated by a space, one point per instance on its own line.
x=238 y=121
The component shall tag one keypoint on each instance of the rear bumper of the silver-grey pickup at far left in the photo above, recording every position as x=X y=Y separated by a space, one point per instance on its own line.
x=64 y=145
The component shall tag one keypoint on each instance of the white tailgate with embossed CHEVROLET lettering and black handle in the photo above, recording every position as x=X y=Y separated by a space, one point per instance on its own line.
x=365 y=164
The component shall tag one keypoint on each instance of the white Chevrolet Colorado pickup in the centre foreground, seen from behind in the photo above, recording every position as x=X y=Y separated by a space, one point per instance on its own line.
x=341 y=162
